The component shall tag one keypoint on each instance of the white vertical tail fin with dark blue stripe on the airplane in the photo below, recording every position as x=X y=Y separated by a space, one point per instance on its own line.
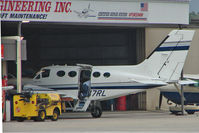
x=167 y=60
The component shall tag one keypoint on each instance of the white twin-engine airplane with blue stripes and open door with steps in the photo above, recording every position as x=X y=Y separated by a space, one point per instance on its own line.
x=85 y=83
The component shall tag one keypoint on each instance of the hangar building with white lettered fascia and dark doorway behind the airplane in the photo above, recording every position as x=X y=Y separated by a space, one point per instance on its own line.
x=93 y=32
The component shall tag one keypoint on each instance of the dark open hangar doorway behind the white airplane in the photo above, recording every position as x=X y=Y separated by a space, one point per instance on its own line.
x=60 y=44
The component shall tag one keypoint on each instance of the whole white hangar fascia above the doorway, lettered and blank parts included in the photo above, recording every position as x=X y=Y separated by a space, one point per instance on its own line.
x=112 y=12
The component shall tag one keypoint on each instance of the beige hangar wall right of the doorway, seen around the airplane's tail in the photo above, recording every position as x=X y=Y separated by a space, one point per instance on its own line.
x=153 y=37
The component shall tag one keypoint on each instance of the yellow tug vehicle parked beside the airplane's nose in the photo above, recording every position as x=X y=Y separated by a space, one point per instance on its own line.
x=37 y=107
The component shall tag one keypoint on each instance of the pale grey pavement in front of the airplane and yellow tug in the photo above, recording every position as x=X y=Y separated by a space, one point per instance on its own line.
x=127 y=121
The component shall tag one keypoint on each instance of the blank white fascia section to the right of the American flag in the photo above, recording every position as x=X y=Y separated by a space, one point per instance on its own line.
x=174 y=12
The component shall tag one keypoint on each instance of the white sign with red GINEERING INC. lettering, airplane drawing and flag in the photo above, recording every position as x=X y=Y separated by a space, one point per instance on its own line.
x=73 y=11
